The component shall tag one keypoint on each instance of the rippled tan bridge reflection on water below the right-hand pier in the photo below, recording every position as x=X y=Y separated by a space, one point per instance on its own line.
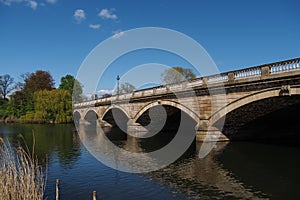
x=205 y=178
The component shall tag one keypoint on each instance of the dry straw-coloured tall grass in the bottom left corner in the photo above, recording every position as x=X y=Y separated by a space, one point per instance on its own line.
x=21 y=177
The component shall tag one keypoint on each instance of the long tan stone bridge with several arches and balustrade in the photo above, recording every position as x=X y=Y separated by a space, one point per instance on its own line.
x=217 y=105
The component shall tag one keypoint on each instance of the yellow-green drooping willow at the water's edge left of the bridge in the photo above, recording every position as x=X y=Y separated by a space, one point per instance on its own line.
x=53 y=106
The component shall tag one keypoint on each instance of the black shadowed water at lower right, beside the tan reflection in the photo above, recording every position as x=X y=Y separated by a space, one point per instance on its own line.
x=272 y=169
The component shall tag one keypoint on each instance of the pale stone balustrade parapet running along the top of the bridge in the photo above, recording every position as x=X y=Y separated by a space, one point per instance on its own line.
x=271 y=70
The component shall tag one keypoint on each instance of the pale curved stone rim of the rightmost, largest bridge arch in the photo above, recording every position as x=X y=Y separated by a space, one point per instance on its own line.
x=247 y=100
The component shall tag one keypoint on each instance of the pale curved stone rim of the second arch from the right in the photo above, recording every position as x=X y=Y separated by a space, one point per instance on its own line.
x=175 y=104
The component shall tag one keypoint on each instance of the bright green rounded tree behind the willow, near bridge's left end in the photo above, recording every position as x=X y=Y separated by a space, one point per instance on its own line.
x=69 y=83
